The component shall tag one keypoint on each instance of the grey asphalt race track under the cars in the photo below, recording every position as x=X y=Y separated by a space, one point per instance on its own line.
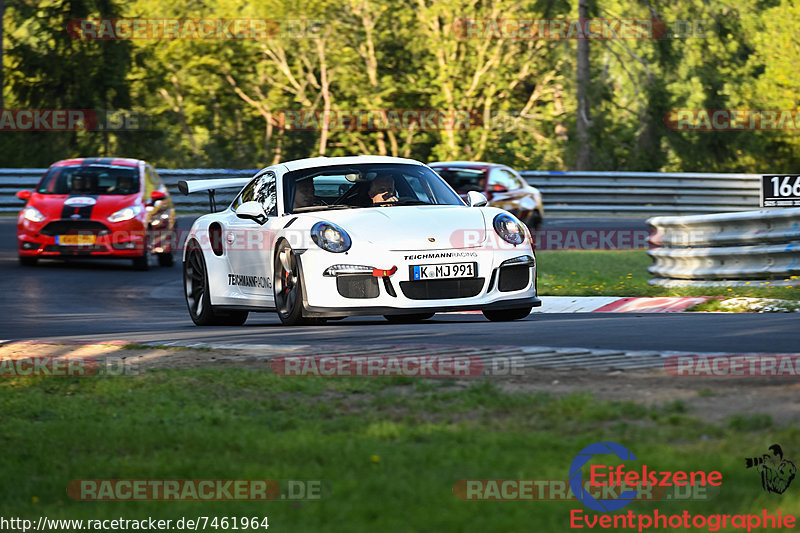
x=107 y=300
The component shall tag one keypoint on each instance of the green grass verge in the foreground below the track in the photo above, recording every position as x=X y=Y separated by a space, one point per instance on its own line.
x=387 y=451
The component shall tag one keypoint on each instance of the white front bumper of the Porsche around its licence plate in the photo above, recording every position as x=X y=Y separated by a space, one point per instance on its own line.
x=497 y=285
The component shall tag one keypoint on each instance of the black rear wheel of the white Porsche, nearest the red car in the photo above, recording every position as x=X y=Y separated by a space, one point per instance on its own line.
x=198 y=300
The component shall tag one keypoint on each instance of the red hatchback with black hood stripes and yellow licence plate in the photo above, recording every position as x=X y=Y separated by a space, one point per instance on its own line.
x=97 y=207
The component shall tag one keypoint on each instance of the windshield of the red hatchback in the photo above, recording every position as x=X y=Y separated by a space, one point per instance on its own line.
x=90 y=179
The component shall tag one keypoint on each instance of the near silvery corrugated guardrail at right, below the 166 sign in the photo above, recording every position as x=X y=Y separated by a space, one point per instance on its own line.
x=727 y=249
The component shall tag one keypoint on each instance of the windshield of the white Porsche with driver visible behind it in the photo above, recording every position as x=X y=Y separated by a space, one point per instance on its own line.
x=366 y=185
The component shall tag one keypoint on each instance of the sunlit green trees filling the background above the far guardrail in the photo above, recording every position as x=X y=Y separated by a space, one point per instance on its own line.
x=219 y=103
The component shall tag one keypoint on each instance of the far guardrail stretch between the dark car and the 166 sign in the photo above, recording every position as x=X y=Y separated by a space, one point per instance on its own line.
x=645 y=193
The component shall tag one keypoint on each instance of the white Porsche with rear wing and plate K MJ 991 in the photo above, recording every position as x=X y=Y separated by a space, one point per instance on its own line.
x=367 y=235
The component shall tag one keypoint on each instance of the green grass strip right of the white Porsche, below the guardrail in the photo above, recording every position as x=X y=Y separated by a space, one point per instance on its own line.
x=624 y=273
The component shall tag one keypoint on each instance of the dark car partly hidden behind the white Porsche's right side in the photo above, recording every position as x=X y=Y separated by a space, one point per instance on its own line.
x=502 y=186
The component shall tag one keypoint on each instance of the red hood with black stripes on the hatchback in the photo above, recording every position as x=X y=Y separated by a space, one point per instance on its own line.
x=98 y=207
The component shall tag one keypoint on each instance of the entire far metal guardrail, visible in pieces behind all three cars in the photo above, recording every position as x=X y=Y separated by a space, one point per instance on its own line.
x=598 y=193
